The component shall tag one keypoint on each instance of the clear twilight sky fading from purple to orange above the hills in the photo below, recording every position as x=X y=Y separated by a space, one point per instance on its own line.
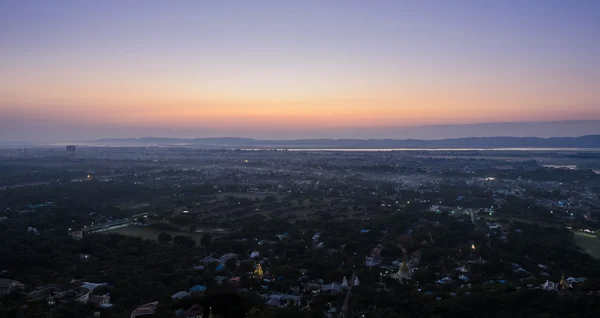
x=74 y=70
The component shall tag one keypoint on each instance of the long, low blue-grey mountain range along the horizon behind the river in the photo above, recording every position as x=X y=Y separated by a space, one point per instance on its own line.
x=589 y=141
